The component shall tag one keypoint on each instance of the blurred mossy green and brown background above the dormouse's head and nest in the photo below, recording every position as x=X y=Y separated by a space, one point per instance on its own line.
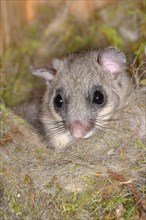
x=32 y=32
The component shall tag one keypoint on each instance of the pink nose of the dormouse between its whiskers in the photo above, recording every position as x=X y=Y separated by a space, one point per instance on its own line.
x=79 y=129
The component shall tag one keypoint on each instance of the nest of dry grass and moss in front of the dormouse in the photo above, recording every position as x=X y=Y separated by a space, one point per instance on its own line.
x=91 y=179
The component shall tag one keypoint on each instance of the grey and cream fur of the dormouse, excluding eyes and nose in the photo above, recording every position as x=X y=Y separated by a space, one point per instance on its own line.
x=76 y=75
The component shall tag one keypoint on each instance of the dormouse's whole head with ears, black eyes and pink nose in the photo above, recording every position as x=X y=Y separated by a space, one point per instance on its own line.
x=83 y=90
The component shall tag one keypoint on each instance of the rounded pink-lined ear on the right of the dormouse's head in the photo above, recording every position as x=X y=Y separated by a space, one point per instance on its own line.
x=112 y=60
